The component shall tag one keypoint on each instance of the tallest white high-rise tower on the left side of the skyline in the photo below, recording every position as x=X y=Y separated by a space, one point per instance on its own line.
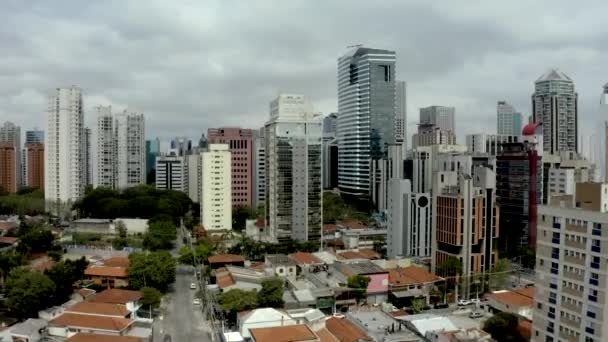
x=63 y=153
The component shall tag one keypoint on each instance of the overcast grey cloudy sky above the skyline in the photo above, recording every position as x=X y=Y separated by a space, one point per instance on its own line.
x=191 y=65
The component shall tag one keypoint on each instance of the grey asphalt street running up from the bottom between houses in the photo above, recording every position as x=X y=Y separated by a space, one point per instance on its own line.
x=180 y=318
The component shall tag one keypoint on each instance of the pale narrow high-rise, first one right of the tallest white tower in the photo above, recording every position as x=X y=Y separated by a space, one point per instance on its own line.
x=103 y=148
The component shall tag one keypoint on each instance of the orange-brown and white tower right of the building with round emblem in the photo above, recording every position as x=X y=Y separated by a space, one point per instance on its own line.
x=466 y=222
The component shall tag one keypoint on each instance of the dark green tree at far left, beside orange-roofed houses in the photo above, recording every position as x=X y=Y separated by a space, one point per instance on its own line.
x=28 y=292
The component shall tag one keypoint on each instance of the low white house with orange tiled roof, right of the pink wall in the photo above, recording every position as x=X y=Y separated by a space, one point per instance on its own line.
x=409 y=283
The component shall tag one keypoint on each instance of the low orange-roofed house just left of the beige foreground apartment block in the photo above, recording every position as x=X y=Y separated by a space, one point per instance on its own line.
x=517 y=301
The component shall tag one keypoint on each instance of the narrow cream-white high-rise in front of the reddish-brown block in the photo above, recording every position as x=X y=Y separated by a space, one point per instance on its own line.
x=216 y=191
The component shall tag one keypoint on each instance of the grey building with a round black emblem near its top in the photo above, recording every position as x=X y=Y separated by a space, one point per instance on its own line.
x=409 y=221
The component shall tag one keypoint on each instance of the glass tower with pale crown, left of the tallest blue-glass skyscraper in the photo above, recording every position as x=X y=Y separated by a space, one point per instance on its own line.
x=293 y=169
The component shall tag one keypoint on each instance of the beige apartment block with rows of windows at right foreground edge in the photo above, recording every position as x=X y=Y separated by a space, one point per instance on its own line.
x=571 y=262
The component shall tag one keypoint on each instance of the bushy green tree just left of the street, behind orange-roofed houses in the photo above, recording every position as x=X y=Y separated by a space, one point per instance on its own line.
x=154 y=269
